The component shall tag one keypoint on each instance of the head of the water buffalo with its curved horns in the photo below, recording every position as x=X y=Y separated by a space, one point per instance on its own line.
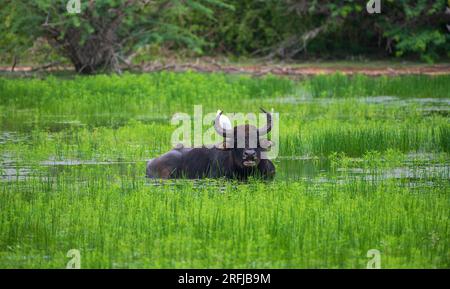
x=244 y=141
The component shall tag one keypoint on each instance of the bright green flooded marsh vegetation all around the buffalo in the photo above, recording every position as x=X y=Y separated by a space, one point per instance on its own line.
x=363 y=164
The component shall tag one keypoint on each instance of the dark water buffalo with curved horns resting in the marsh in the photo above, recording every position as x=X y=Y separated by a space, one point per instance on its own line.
x=228 y=160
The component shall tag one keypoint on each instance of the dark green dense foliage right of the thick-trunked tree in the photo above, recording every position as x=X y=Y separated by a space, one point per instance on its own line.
x=301 y=28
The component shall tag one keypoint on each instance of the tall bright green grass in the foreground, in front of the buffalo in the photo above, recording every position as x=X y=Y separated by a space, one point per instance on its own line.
x=126 y=223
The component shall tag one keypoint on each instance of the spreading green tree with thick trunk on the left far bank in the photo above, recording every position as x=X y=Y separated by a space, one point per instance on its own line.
x=104 y=32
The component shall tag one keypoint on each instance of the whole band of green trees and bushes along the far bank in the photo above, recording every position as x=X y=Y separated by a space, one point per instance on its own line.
x=108 y=32
